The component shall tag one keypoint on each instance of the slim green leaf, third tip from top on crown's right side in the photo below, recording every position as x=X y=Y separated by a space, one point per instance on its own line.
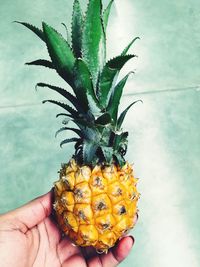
x=113 y=105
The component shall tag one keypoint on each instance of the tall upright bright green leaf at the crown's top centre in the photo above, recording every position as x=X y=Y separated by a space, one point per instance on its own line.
x=93 y=42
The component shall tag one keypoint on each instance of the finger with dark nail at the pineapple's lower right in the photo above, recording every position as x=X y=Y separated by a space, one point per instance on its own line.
x=118 y=253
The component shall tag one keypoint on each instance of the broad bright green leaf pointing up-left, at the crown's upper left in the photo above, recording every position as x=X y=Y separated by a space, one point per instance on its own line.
x=60 y=53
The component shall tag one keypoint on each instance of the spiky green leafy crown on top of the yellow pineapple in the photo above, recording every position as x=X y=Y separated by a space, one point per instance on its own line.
x=94 y=104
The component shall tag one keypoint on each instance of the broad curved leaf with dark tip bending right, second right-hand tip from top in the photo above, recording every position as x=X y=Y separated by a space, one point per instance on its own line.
x=108 y=77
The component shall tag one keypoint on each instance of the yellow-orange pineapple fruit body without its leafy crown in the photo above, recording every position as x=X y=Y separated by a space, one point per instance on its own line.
x=95 y=206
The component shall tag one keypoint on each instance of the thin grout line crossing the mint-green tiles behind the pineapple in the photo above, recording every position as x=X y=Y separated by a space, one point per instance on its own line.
x=172 y=90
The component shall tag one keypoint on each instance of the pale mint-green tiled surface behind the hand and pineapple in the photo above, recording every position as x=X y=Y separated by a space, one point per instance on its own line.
x=164 y=141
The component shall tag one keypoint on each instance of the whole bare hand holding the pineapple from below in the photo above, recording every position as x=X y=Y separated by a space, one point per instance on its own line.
x=29 y=238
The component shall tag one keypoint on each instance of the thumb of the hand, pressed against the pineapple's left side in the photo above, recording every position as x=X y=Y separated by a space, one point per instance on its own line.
x=33 y=212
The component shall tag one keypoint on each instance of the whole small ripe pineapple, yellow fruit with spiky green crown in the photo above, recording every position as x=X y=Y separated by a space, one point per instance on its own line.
x=95 y=196
